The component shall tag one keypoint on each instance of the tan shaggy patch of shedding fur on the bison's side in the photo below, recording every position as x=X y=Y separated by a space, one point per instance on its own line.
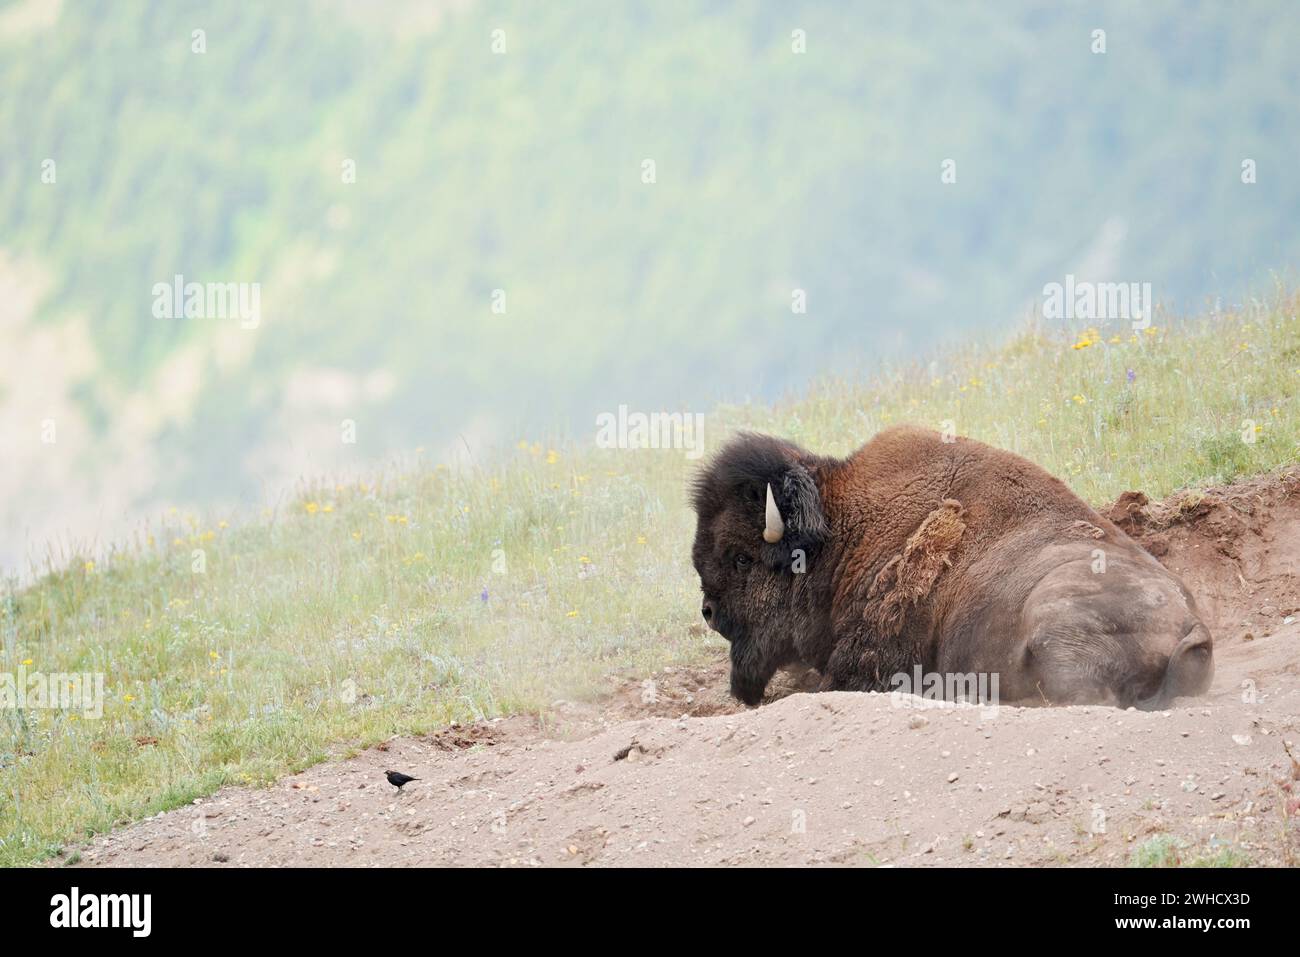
x=911 y=575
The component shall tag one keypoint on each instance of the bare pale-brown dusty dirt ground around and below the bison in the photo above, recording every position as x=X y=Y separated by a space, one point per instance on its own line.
x=675 y=773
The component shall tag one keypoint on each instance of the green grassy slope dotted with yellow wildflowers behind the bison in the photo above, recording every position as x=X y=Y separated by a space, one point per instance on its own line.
x=356 y=612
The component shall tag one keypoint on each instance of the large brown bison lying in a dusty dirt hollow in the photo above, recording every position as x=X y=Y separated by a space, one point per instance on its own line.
x=938 y=555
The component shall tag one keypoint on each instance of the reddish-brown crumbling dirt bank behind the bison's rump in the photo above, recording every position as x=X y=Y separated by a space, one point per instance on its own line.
x=1237 y=547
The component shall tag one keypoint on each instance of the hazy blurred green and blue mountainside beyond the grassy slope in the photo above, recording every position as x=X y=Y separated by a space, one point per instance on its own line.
x=523 y=171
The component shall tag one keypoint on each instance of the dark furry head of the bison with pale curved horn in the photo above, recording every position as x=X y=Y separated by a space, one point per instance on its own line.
x=760 y=526
